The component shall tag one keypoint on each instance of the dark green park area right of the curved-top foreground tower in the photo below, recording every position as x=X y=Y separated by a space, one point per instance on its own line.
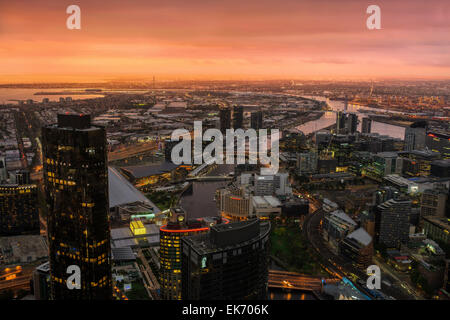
x=289 y=246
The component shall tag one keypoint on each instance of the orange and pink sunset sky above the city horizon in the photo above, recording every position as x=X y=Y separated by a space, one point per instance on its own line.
x=218 y=39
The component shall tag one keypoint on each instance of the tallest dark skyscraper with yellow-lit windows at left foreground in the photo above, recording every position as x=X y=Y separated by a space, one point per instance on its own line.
x=76 y=184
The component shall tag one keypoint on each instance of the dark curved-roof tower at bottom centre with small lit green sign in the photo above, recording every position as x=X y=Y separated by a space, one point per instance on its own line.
x=230 y=262
